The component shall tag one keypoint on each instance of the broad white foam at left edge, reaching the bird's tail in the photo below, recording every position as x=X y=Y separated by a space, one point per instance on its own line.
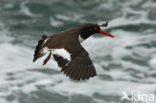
x=14 y=57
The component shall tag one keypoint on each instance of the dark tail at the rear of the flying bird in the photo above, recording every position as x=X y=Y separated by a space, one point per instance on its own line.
x=38 y=51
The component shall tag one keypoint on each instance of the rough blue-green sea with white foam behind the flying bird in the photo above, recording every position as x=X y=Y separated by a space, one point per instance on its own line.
x=126 y=63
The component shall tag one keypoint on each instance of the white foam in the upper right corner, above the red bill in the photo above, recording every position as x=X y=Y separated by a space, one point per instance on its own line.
x=126 y=7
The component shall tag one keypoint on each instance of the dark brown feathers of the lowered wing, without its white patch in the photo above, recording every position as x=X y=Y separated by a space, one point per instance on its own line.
x=79 y=67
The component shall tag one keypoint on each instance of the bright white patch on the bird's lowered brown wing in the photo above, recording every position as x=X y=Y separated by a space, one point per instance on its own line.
x=62 y=52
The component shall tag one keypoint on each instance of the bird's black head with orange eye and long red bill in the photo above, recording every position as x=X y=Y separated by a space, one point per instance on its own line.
x=87 y=30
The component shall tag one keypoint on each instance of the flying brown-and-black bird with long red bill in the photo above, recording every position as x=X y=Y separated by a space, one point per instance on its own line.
x=66 y=49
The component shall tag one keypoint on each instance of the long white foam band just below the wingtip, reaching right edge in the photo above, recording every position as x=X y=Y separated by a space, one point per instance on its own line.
x=102 y=87
